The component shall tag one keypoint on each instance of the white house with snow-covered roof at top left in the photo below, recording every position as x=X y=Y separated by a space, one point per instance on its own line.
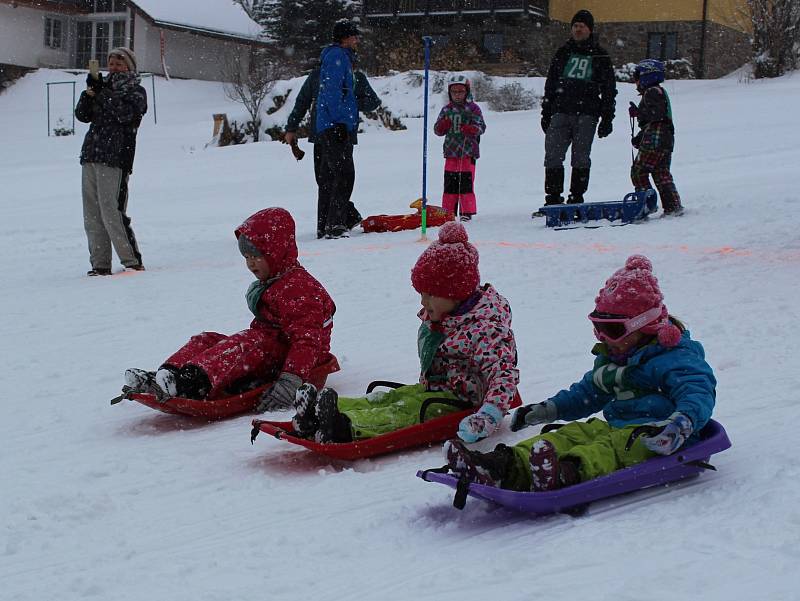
x=192 y=38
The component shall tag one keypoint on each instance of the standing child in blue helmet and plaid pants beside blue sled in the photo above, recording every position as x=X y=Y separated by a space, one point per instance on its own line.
x=656 y=138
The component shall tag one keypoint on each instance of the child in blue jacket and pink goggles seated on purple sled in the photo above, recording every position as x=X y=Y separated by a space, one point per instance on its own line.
x=647 y=370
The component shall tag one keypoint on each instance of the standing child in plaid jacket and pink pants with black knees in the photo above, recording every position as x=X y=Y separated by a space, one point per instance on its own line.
x=461 y=123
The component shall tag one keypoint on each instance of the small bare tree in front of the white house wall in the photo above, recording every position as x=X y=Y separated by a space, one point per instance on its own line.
x=249 y=81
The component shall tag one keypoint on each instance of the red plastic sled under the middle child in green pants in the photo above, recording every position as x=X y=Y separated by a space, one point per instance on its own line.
x=428 y=432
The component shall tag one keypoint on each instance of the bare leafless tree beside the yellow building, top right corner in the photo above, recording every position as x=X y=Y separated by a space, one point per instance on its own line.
x=776 y=36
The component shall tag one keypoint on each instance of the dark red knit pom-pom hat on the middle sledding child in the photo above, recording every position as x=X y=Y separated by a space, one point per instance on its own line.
x=448 y=267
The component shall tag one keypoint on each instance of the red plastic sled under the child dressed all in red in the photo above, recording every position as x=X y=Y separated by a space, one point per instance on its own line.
x=224 y=407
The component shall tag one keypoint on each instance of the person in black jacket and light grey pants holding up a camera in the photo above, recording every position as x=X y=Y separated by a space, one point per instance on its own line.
x=114 y=106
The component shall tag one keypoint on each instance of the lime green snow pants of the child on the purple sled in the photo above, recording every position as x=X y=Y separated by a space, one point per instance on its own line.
x=598 y=447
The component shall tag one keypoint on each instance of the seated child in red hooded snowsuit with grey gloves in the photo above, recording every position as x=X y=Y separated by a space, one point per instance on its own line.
x=289 y=336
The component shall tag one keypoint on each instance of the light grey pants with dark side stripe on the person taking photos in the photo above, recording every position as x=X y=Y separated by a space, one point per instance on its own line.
x=105 y=200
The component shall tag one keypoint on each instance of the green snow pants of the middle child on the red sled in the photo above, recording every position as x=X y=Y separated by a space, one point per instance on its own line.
x=386 y=412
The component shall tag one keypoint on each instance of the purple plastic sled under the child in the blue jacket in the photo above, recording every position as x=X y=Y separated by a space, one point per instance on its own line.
x=686 y=463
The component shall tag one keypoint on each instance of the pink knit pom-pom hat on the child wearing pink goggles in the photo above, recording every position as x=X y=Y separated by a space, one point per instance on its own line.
x=633 y=290
